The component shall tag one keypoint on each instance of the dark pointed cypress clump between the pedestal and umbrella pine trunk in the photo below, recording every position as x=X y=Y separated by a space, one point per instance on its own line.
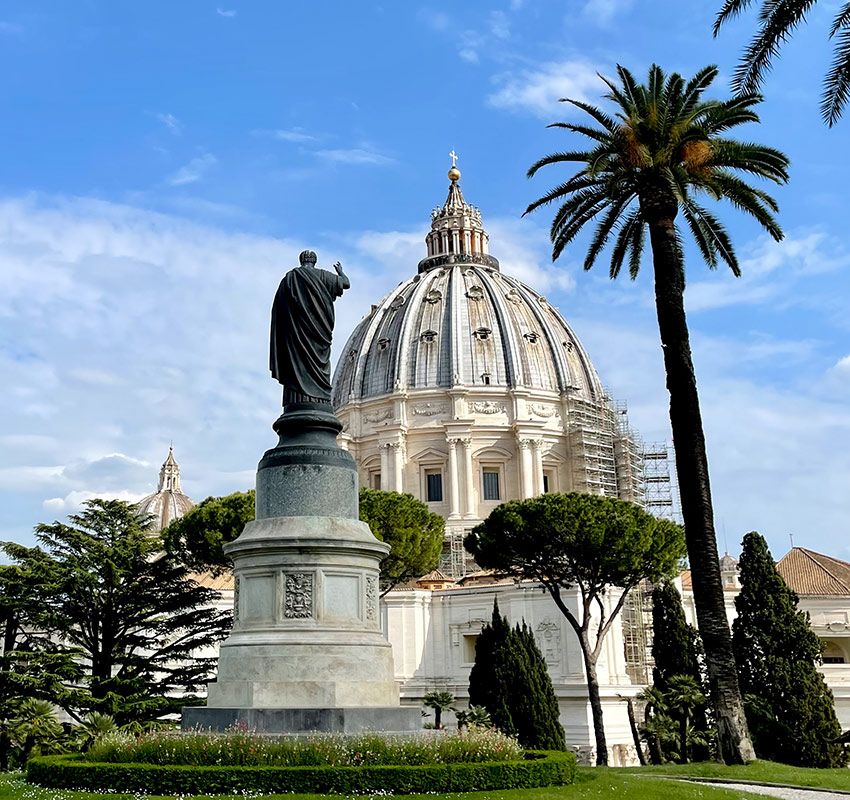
x=509 y=679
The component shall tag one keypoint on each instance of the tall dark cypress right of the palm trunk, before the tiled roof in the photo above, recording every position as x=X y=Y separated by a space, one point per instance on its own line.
x=789 y=706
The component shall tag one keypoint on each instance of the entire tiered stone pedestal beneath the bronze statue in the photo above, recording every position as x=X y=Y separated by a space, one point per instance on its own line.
x=306 y=650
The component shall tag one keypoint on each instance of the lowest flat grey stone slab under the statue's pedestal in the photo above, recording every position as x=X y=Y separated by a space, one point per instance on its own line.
x=392 y=719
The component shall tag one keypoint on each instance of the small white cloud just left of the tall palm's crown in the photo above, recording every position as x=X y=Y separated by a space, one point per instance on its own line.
x=538 y=91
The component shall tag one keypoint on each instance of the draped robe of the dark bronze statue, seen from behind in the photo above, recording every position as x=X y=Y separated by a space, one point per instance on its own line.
x=302 y=325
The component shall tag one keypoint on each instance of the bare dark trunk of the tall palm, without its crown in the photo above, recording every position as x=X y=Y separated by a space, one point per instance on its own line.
x=692 y=471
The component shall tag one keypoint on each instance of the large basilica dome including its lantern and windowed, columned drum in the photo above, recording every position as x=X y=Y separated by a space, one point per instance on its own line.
x=465 y=387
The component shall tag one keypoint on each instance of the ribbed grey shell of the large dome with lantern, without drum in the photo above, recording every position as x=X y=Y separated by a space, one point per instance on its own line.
x=460 y=321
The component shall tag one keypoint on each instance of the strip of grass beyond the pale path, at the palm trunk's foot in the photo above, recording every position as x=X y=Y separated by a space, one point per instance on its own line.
x=760 y=771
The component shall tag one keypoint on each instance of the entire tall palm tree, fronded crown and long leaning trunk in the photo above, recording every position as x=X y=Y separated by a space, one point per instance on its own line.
x=654 y=158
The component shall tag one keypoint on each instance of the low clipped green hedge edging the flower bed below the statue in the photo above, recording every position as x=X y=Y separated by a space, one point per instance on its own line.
x=539 y=768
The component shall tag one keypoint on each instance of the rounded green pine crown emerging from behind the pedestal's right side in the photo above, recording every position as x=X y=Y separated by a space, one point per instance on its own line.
x=414 y=533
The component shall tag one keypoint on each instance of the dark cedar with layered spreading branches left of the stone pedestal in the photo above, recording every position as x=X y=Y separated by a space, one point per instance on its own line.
x=127 y=610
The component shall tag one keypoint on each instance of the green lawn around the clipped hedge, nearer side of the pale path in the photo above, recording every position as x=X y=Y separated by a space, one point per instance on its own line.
x=591 y=784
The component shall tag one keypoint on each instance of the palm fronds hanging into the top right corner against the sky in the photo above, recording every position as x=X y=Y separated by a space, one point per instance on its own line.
x=777 y=21
